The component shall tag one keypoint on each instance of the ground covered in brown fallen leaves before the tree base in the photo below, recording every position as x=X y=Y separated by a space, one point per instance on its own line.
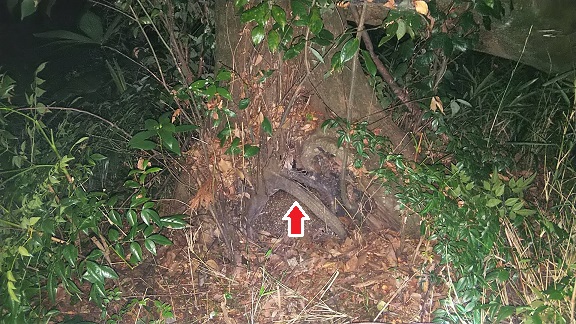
x=372 y=276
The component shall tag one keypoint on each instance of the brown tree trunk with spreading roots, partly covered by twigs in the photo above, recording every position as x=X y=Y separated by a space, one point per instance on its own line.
x=295 y=90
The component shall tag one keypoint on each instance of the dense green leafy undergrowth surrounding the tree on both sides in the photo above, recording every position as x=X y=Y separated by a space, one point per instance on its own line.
x=494 y=188
